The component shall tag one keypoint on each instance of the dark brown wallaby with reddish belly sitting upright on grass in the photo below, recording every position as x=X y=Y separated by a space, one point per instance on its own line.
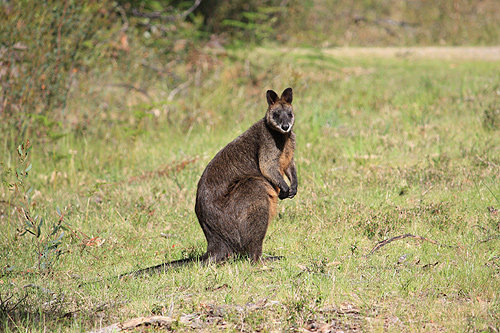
x=239 y=189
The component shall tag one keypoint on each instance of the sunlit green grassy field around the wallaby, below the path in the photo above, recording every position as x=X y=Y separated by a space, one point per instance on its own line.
x=386 y=147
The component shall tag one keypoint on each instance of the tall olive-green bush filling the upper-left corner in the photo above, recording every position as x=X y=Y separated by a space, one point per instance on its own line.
x=45 y=45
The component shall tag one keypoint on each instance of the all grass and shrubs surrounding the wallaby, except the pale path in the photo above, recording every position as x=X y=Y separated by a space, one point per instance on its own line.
x=109 y=112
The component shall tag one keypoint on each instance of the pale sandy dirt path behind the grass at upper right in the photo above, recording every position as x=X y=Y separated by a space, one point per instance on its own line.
x=434 y=52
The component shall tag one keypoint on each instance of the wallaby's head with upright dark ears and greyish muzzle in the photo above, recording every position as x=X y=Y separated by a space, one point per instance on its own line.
x=280 y=112
